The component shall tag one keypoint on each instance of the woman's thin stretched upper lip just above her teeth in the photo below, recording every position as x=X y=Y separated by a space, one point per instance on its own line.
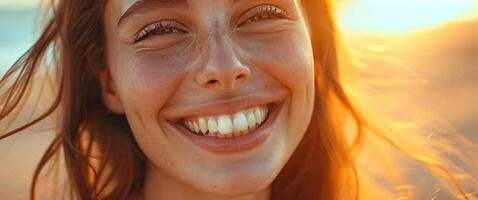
x=225 y=106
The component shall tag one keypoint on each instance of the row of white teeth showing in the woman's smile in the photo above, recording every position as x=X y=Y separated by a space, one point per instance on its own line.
x=228 y=125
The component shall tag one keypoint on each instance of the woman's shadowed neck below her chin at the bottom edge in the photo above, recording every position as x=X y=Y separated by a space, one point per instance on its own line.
x=158 y=185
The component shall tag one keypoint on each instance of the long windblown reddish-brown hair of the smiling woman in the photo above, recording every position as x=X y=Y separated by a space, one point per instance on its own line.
x=102 y=166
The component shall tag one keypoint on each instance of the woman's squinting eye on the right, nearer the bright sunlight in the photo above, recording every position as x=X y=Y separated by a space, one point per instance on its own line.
x=264 y=12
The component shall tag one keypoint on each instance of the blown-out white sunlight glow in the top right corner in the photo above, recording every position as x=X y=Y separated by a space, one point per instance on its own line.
x=401 y=15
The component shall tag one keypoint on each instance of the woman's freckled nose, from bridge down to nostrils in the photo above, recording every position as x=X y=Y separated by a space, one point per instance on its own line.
x=222 y=68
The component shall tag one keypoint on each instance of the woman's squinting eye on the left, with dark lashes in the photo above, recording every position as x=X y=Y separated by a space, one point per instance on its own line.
x=161 y=27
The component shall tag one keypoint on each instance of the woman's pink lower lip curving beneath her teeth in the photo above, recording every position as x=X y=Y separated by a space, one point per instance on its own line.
x=234 y=144
